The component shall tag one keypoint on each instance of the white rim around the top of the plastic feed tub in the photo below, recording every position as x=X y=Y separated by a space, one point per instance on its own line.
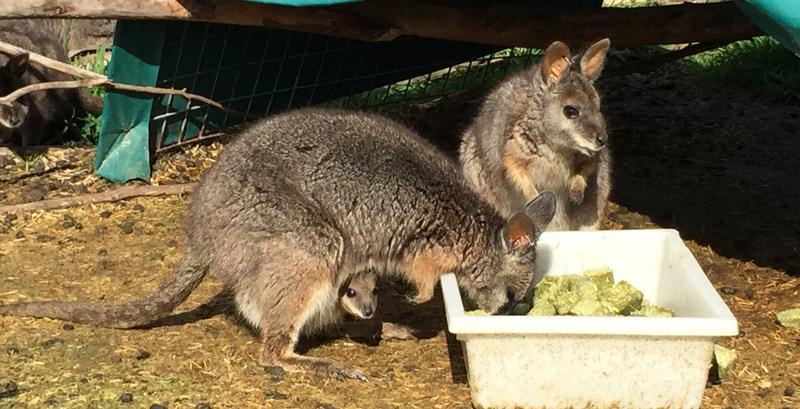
x=718 y=324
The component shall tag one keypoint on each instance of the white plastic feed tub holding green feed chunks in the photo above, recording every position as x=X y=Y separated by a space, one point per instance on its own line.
x=599 y=362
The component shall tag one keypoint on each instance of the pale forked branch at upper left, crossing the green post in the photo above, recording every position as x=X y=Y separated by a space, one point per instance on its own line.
x=91 y=79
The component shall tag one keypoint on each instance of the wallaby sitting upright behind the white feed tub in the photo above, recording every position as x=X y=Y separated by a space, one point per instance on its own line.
x=542 y=129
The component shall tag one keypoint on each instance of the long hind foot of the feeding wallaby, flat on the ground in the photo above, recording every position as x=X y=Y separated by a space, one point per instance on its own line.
x=292 y=362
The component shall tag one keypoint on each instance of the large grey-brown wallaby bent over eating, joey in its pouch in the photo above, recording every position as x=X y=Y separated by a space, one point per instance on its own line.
x=301 y=201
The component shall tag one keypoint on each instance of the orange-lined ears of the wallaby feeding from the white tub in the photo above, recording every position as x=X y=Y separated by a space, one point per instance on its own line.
x=524 y=227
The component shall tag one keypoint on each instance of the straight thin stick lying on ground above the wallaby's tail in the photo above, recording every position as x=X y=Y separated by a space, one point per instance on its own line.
x=115 y=195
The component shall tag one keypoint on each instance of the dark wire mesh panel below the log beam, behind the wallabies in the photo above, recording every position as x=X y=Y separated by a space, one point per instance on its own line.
x=257 y=71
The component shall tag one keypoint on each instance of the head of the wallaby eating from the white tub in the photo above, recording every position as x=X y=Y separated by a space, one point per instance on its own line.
x=503 y=277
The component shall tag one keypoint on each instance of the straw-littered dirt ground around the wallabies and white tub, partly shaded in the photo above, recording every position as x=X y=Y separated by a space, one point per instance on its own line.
x=718 y=167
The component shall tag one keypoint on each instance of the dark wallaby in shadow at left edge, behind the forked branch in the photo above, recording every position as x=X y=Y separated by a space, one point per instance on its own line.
x=39 y=117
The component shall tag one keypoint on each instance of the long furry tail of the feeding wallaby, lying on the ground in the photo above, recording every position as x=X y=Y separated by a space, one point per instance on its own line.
x=127 y=315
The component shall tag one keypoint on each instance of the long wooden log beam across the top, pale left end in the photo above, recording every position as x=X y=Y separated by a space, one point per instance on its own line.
x=382 y=20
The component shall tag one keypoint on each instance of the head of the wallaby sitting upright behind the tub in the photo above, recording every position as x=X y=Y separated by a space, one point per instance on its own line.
x=571 y=104
